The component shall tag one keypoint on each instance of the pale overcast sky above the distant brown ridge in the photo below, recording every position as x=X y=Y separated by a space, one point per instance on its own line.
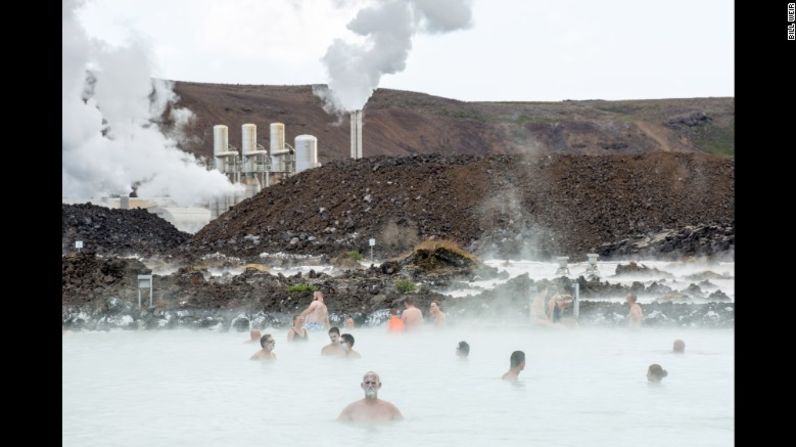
x=515 y=50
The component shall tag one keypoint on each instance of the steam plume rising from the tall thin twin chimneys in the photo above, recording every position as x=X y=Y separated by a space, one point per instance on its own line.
x=355 y=68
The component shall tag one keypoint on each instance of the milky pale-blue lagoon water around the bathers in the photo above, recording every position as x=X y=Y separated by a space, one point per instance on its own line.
x=580 y=387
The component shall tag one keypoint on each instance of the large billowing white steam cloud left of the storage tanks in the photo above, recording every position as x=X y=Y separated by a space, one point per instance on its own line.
x=110 y=139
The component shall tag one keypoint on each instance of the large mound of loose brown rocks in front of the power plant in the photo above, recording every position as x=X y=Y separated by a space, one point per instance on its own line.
x=507 y=205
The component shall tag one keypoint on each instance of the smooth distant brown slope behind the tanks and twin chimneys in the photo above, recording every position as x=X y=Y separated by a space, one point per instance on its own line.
x=400 y=122
